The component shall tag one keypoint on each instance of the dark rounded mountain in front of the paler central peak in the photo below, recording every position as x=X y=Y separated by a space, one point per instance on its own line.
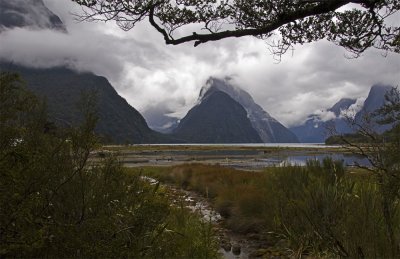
x=217 y=119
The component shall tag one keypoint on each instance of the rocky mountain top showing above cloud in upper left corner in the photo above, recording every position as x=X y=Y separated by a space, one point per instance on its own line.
x=28 y=13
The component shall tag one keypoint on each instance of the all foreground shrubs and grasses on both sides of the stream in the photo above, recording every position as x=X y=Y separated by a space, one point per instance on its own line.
x=56 y=202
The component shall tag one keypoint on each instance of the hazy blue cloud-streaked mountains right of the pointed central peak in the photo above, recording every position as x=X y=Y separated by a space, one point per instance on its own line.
x=316 y=130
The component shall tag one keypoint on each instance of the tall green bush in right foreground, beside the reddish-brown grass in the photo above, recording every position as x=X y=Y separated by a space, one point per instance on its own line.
x=323 y=212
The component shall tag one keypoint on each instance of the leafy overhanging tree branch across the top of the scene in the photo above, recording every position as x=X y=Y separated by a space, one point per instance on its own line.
x=353 y=24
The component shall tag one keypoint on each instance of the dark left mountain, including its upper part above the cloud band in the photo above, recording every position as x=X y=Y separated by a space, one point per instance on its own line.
x=62 y=88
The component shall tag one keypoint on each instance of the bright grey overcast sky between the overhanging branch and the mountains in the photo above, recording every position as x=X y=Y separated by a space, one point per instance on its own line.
x=150 y=74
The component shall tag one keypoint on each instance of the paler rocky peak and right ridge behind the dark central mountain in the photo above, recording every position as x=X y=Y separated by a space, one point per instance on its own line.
x=268 y=128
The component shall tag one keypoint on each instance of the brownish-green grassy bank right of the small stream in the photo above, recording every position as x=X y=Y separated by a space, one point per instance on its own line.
x=318 y=210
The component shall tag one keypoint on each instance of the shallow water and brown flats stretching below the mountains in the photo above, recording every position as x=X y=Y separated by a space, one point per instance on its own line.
x=254 y=158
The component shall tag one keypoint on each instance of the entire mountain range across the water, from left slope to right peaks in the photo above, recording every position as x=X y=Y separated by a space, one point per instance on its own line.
x=224 y=112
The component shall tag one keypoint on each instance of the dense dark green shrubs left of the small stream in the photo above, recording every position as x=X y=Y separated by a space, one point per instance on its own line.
x=55 y=203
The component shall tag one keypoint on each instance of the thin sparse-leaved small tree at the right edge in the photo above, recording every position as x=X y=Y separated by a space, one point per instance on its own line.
x=382 y=151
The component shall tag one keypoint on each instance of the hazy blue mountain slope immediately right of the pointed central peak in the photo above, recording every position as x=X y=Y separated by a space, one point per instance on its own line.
x=315 y=130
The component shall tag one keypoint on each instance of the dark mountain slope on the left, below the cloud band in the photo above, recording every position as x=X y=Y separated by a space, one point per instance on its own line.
x=62 y=88
